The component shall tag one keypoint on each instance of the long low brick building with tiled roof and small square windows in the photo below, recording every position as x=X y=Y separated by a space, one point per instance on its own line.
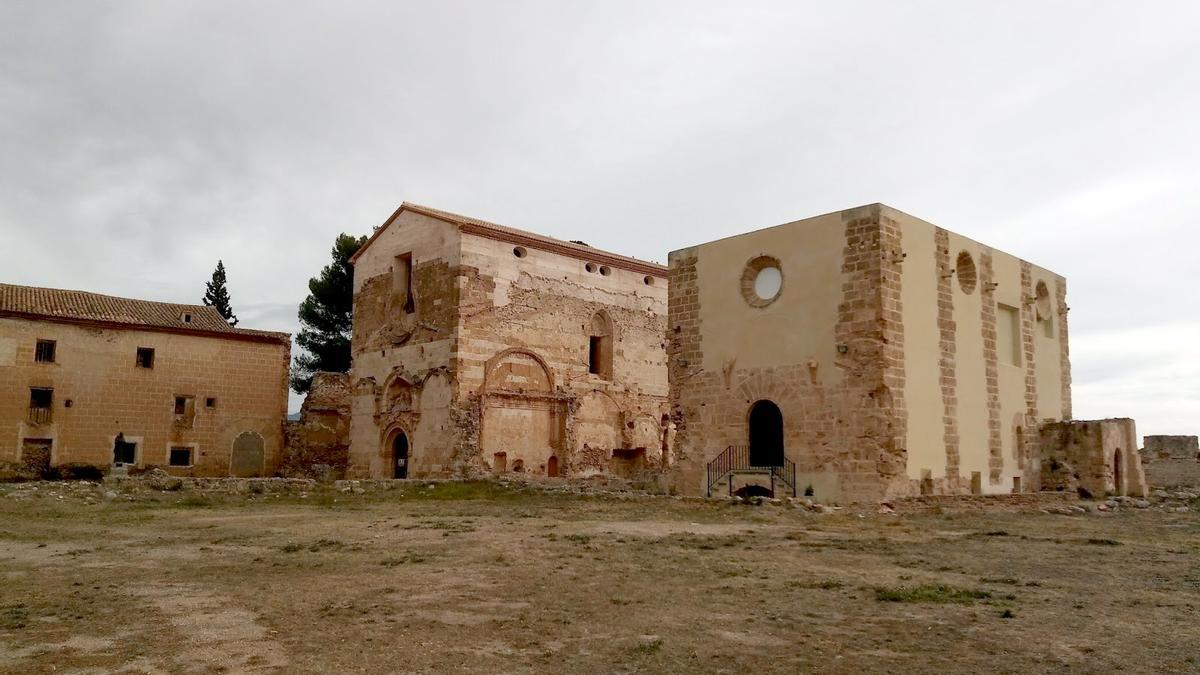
x=122 y=384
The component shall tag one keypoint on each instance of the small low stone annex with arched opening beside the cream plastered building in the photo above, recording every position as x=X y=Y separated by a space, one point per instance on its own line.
x=1094 y=458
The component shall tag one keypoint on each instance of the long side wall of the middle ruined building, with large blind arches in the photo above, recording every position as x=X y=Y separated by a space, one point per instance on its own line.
x=524 y=363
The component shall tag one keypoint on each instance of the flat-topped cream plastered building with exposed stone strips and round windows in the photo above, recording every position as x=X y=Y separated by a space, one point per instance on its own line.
x=899 y=359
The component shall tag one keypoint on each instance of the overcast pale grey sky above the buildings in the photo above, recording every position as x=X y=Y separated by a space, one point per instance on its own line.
x=141 y=142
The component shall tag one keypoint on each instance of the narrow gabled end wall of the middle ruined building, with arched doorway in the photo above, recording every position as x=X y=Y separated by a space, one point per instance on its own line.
x=403 y=344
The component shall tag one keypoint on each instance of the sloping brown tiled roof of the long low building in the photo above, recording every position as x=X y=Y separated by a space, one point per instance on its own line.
x=93 y=308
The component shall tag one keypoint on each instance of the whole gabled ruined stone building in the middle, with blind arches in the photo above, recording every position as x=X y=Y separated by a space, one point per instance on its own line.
x=483 y=350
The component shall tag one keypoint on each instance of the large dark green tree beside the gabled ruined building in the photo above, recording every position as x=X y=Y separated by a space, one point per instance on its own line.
x=326 y=315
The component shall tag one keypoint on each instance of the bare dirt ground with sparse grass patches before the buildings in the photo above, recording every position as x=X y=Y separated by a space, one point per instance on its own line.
x=484 y=580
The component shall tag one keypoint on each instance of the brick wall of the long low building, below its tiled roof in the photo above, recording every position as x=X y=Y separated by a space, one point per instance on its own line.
x=95 y=371
